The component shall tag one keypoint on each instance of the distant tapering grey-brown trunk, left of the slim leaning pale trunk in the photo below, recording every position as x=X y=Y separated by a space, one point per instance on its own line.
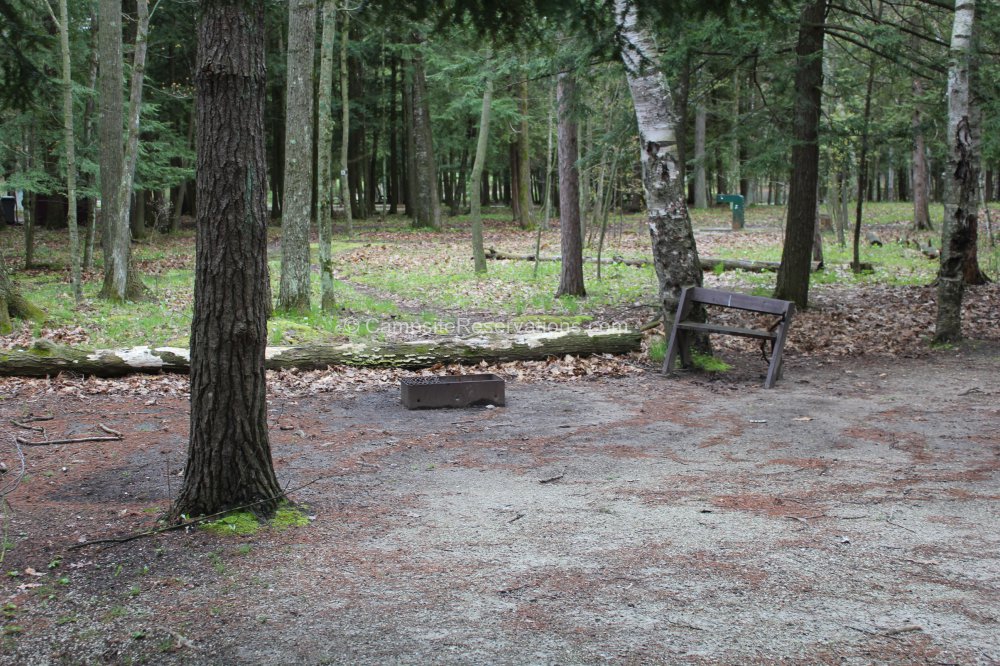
x=428 y=204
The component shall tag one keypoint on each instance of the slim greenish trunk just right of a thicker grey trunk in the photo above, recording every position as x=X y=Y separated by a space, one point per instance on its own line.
x=324 y=156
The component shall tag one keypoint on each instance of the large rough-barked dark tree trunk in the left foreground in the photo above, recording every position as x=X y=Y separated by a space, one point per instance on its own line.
x=229 y=457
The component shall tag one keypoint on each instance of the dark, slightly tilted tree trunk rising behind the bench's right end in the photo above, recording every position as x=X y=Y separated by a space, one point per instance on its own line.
x=793 y=276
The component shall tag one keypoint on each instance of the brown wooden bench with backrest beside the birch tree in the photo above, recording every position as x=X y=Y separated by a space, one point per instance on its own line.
x=684 y=330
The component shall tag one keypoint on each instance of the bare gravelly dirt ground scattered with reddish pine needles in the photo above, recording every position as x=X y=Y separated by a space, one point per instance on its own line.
x=848 y=516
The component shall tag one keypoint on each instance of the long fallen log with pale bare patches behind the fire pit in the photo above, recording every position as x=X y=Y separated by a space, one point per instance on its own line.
x=45 y=359
